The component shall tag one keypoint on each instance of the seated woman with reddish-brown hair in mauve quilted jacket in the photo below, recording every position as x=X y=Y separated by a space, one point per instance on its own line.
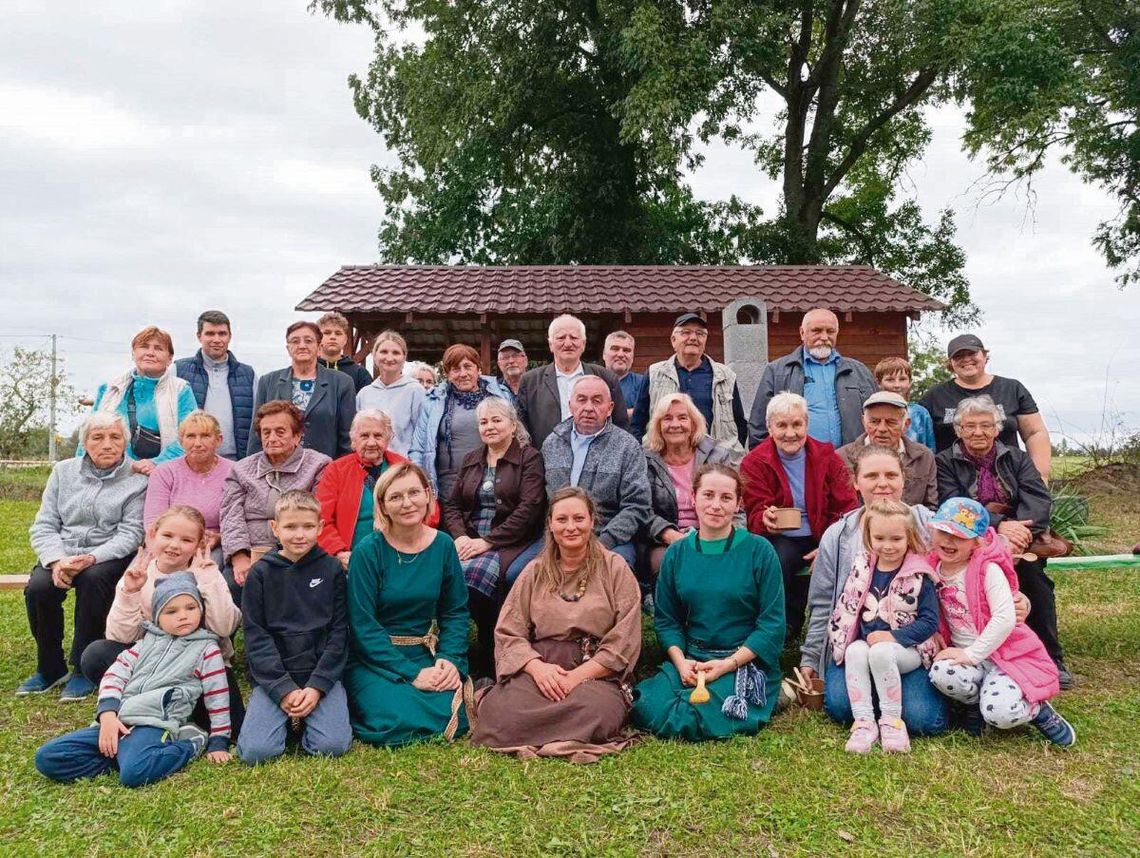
x=257 y=481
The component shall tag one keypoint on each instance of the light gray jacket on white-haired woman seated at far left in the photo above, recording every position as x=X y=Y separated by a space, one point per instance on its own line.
x=85 y=513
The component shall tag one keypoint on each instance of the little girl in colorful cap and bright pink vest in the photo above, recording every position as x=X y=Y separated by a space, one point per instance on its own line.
x=996 y=664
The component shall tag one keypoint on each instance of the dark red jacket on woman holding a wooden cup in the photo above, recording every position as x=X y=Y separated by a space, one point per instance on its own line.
x=828 y=488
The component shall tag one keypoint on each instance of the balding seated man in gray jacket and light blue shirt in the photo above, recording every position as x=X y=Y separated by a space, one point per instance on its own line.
x=590 y=452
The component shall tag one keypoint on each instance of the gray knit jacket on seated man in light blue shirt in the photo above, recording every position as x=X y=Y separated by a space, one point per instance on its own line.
x=614 y=473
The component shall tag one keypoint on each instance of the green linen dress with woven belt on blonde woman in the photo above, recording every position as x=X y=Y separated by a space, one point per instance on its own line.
x=389 y=594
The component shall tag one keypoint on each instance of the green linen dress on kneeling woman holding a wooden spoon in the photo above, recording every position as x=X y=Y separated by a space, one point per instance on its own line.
x=714 y=596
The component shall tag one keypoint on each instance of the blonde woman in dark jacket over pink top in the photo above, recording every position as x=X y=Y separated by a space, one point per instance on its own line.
x=677 y=445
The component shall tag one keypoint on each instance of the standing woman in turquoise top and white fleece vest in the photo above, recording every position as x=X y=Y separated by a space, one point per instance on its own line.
x=152 y=399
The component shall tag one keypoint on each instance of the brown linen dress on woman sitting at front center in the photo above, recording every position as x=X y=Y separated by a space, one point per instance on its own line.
x=605 y=625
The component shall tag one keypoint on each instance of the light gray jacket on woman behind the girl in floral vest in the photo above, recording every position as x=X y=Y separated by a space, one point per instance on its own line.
x=838 y=549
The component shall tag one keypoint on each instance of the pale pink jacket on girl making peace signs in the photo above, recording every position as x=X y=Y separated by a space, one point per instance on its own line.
x=131 y=610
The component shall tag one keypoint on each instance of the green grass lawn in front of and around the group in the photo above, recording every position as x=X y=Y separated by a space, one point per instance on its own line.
x=789 y=791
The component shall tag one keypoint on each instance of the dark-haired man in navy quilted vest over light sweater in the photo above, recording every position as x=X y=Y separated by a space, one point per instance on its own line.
x=223 y=386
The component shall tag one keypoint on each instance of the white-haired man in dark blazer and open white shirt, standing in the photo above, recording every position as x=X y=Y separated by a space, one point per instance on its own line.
x=544 y=393
